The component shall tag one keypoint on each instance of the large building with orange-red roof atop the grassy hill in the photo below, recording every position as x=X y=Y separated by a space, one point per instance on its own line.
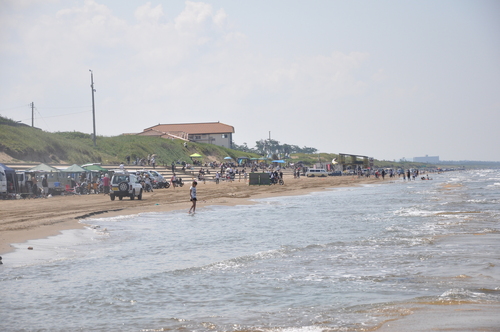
x=208 y=132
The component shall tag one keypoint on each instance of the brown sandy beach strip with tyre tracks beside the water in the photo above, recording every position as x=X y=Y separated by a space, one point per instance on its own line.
x=29 y=219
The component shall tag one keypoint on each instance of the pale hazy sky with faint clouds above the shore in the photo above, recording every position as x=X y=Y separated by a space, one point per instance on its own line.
x=386 y=79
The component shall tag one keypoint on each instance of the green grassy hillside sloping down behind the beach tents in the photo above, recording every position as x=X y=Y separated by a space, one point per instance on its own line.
x=27 y=144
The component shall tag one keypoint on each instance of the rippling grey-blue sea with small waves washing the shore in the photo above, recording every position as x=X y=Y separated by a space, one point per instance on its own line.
x=343 y=259
